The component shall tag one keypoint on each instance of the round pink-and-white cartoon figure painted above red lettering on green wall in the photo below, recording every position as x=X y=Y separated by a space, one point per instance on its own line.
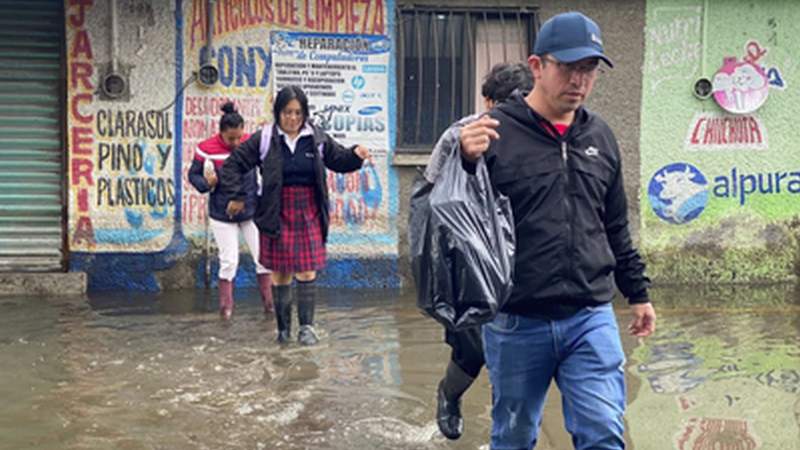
x=740 y=87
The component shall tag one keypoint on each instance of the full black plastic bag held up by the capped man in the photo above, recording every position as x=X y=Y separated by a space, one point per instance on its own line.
x=461 y=234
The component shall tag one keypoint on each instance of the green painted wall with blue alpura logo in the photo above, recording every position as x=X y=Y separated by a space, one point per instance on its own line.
x=720 y=192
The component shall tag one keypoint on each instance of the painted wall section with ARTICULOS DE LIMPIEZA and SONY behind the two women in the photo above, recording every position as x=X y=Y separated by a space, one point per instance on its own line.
x=363 y=204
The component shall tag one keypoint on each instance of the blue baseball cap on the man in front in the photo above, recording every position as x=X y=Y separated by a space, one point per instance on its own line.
x=570 y=37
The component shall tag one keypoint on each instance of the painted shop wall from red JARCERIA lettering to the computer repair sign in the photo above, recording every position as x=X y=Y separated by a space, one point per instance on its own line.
x=128 y=158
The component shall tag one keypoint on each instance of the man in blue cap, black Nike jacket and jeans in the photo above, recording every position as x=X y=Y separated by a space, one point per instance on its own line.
x=560 y=166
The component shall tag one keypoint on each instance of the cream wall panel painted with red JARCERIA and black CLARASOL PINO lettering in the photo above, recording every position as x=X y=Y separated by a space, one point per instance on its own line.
x=123 y=189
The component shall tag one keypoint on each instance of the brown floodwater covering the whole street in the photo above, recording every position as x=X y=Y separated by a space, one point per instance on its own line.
x=162 y=372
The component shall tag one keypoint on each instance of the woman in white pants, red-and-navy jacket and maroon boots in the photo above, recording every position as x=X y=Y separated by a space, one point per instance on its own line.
x=203 y=174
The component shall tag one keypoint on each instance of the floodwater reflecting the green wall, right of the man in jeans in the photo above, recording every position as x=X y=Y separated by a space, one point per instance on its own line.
x=722 y=376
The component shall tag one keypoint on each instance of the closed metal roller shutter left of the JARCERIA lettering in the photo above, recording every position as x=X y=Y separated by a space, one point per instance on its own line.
x=31 y=128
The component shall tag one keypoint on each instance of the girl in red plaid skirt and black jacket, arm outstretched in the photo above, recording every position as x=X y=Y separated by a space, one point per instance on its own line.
x=292 y=212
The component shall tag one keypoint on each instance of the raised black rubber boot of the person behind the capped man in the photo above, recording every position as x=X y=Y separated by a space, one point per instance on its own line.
x=448 y=401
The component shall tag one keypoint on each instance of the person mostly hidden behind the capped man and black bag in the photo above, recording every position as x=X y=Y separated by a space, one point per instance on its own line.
x=466 y=359
